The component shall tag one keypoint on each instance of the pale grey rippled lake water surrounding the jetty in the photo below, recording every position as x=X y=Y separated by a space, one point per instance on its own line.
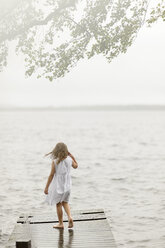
x=121 y=160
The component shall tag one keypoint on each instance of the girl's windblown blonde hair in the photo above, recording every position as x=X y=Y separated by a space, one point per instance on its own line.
x=59 y=152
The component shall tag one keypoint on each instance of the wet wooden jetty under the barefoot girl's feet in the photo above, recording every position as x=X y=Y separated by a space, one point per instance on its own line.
x=91 y=230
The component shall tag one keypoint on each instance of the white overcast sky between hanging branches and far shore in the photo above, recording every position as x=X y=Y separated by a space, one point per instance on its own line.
x=137 y=77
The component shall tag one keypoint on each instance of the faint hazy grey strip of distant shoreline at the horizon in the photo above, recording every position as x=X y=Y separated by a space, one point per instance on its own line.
x=87 y=108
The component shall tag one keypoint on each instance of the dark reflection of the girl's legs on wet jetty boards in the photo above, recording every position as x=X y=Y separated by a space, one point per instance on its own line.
x=61 y=243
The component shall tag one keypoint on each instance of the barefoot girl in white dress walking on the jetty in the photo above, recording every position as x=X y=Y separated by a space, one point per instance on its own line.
x=58 y=185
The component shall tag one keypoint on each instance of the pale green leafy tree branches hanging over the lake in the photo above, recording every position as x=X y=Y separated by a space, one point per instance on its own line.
x=54 y=35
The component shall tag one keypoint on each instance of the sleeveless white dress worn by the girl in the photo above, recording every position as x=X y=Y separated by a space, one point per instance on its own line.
x=60 y=186
